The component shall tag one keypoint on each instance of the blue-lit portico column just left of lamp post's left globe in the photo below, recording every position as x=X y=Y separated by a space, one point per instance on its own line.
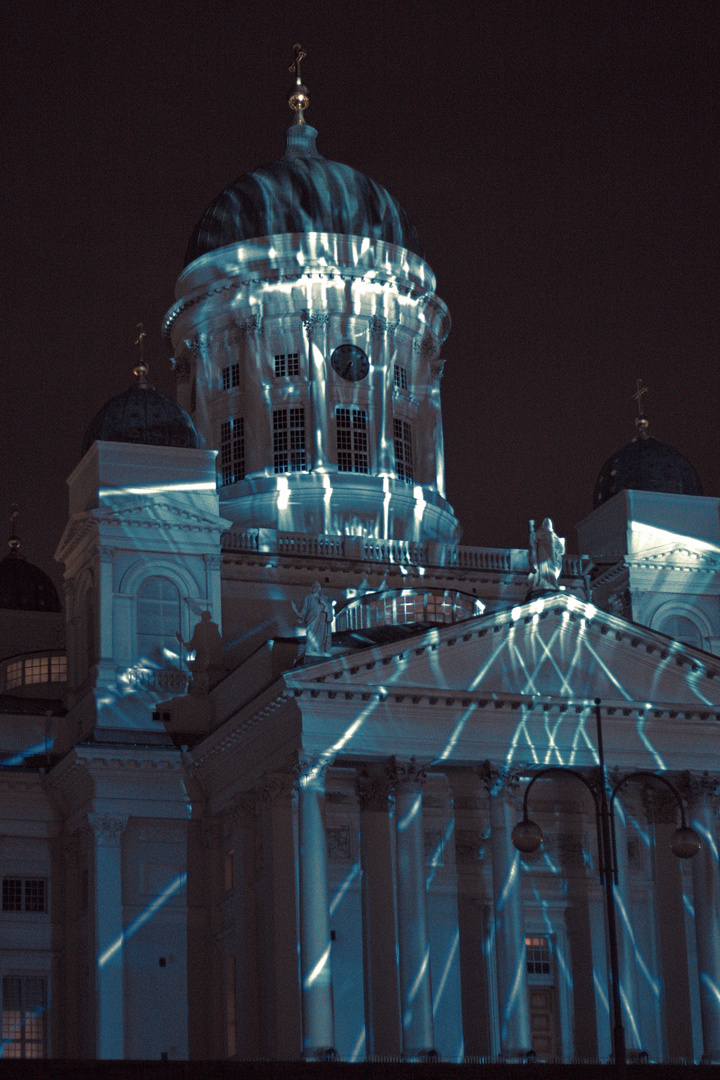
x=515 y=1038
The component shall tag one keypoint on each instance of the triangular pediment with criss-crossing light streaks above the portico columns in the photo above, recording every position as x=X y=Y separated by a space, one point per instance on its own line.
x=554 y=647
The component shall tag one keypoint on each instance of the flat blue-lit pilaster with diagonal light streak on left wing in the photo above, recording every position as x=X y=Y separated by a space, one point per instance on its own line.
x=110 y=1023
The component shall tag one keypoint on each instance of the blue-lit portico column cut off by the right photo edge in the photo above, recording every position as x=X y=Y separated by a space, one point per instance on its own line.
x=707 y=898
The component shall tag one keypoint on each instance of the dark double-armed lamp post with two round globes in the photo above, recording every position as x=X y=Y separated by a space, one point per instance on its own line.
x=527 y=838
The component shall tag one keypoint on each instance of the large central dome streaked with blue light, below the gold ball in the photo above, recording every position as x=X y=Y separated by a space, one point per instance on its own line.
x=302 y=193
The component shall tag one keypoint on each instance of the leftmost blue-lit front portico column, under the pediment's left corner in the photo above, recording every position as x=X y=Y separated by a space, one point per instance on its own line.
x=316 y=960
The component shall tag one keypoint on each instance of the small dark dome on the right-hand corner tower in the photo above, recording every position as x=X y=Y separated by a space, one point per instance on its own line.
x=646 y=465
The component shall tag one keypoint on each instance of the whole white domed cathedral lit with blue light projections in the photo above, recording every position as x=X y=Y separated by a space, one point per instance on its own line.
x=292 y=773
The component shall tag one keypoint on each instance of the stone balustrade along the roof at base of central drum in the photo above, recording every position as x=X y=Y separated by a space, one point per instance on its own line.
x=403 y=552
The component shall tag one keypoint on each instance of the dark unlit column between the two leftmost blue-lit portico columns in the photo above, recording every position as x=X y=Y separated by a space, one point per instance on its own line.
x=383 y=1019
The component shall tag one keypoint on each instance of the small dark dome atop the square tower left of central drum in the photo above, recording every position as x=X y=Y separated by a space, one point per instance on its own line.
x=142 y=415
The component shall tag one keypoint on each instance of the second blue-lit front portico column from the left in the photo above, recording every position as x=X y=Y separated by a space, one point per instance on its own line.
x=413 y=929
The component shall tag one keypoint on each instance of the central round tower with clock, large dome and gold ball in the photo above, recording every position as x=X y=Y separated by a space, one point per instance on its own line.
x=307 y=337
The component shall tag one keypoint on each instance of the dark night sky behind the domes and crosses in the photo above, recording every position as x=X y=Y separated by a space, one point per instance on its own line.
x=560 y=160
